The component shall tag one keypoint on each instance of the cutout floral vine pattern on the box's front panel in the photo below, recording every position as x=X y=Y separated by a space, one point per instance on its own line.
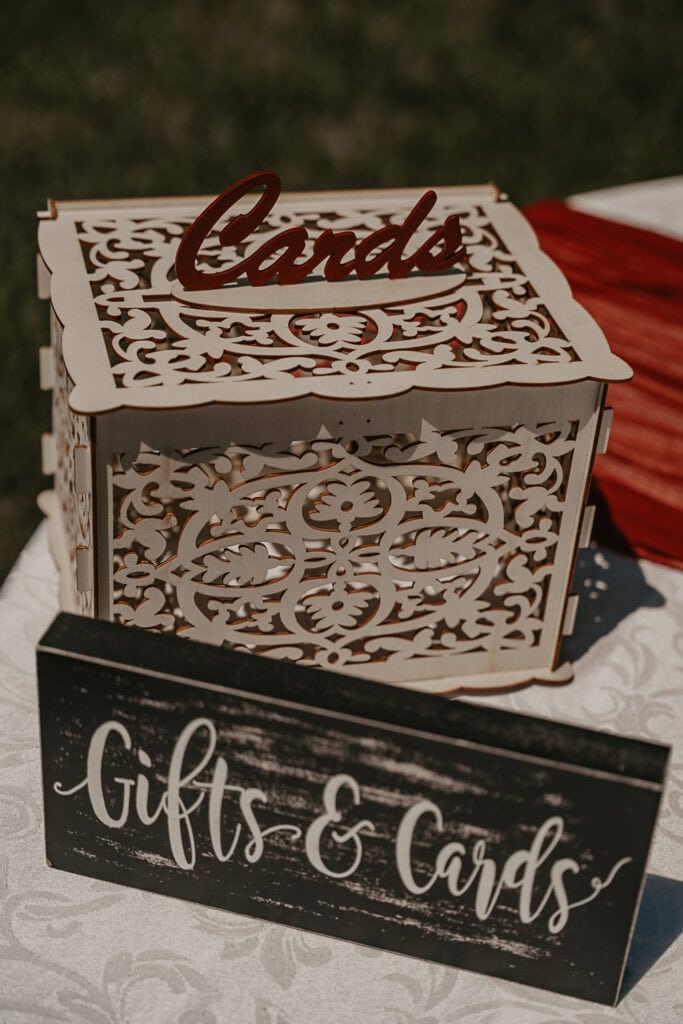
x=347 y=552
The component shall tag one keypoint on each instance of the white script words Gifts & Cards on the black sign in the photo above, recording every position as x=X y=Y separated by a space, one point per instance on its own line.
x=534 y=873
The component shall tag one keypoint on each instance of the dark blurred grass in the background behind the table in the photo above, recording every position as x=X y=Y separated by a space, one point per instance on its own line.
x=179 y=98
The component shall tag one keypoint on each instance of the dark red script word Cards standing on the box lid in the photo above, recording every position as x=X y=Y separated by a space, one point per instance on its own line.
x=341 y=252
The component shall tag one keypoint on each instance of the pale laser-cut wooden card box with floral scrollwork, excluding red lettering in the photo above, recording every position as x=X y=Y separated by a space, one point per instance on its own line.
x=387 y=478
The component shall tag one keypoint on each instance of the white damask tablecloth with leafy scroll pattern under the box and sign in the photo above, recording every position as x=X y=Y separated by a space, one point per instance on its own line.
x=75 y=950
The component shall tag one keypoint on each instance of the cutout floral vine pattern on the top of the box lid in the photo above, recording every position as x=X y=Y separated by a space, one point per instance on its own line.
x=495 y=318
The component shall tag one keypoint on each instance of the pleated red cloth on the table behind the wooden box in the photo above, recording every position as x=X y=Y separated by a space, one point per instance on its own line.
x=631 y=281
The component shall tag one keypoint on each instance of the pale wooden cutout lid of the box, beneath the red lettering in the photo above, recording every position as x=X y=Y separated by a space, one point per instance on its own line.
x=135 y=338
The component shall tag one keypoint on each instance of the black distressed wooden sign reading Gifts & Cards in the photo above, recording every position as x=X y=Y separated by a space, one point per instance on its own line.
x=490 y=841
